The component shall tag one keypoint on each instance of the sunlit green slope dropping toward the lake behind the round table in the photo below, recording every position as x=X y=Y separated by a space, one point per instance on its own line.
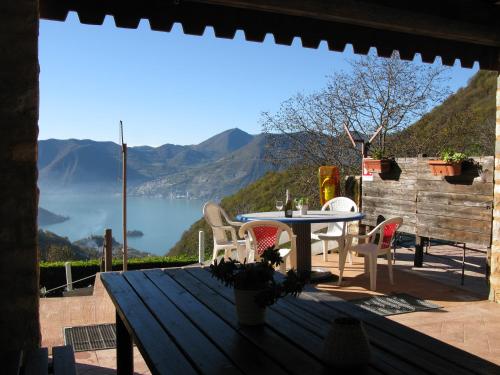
x=258 y=196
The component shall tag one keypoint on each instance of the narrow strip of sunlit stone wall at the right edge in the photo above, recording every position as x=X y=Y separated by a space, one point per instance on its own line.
x=495 y=246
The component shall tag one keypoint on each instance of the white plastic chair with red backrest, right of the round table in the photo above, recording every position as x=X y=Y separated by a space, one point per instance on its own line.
x=375 y=246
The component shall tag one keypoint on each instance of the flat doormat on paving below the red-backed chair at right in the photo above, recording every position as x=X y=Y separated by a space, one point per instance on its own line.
x=400 y=303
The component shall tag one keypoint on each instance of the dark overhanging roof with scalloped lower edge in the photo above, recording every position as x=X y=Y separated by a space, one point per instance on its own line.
x=468 y=30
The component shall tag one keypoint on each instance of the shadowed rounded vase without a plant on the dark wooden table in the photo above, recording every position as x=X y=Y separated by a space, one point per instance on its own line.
x=346 y=344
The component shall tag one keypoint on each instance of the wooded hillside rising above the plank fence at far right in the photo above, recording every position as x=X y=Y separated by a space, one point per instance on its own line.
x=465 y=122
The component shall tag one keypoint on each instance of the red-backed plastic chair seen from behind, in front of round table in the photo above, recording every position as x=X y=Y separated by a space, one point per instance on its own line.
x=261 y=234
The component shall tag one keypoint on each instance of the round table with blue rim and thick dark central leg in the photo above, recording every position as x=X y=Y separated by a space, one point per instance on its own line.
x=301 y=225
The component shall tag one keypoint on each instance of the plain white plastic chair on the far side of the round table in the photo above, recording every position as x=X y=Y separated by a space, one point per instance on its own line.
x=337 y=231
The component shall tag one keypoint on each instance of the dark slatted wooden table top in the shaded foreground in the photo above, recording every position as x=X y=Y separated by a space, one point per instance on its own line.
x=184 y=322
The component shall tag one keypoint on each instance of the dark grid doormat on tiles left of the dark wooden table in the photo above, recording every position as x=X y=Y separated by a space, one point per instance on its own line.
x=94 y=337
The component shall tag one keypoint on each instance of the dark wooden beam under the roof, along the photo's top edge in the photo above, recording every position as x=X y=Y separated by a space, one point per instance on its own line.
x=456 y=25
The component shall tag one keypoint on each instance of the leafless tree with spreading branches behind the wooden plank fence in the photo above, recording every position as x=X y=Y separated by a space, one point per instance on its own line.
x=377 y=92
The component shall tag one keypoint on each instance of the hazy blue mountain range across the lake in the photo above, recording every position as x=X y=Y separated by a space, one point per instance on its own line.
x=214 y=168
